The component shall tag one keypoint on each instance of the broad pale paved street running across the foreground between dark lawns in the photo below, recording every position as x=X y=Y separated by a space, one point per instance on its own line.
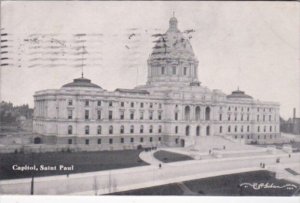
x=145 y=176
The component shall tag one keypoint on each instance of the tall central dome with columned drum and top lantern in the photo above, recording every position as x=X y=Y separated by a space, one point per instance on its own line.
x=172 y=60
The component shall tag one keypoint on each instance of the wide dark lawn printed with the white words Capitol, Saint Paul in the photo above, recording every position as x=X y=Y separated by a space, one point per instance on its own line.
x=82 y=161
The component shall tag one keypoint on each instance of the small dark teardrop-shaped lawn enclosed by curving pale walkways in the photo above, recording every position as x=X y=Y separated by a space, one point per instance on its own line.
x=168 y=157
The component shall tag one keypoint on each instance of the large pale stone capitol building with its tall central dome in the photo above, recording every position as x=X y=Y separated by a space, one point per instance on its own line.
x=171 y=109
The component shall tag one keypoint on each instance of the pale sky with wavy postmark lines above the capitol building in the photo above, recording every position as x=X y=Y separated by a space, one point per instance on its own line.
x=251 y=45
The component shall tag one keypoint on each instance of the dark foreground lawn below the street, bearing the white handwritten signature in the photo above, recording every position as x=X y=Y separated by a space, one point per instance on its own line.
x=225 y=185
